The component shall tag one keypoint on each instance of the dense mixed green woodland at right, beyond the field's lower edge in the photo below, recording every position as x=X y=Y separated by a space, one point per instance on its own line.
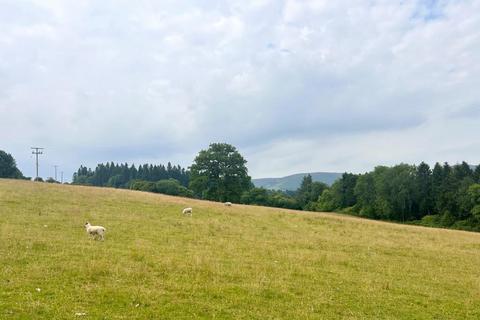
x=444 y=196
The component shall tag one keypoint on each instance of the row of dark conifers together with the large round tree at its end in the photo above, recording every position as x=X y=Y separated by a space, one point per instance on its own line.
x=218 y=173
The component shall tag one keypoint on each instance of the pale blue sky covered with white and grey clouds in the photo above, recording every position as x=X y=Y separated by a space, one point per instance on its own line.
x=296 y=86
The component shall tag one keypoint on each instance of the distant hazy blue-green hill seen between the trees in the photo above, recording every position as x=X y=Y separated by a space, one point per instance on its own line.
x=293 y=181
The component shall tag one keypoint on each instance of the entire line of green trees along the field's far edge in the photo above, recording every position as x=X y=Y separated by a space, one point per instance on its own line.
x=445 y=195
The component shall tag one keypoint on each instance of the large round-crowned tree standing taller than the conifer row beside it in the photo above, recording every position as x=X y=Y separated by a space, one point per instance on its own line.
x=219 y=173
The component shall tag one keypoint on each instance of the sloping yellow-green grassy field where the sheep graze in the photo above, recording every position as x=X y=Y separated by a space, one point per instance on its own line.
x=239 y=262
